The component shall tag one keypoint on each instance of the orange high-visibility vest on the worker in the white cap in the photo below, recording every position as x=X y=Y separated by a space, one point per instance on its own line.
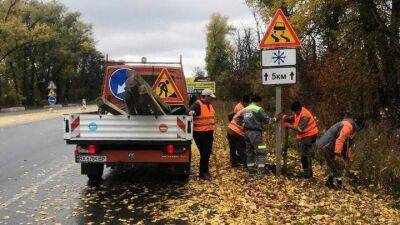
x=206 y=120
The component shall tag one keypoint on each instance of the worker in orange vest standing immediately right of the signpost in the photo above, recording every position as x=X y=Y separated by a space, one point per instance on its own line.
x=303 y=122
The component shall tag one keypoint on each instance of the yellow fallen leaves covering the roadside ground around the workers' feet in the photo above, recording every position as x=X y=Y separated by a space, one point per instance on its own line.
x=234 y=196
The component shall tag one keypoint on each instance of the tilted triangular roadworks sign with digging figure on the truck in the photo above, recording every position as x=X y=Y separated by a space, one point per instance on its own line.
x=165 y=88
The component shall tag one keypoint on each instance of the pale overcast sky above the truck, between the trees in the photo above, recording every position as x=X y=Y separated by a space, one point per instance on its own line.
x=157 y=29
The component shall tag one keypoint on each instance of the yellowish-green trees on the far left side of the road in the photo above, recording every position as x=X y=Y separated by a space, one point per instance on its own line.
x=42 y=42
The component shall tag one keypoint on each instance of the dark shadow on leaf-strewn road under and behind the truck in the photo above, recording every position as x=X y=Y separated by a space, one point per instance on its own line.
x=130 y=197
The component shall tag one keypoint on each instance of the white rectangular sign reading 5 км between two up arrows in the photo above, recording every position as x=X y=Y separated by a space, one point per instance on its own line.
x=279 y=75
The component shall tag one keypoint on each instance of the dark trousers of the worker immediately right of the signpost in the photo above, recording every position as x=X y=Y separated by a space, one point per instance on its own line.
x=304 y=146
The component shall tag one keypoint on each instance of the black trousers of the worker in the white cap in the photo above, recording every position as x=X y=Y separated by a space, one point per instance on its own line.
x=204 y=141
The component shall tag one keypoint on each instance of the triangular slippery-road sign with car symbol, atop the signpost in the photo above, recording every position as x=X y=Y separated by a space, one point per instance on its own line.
x=279 y=33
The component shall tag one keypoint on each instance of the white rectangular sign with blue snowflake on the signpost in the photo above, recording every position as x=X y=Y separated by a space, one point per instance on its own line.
x=279 y=57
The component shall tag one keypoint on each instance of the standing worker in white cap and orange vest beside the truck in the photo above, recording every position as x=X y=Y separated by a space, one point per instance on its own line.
x=203 y=127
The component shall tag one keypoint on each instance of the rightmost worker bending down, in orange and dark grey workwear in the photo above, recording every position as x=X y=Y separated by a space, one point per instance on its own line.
x=335 y=147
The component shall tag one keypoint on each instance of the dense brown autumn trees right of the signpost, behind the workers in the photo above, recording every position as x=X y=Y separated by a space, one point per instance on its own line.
x=359 y=39
